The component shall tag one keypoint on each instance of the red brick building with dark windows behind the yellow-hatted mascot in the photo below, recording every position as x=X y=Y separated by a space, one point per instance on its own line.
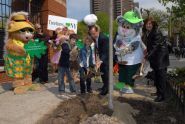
x=38 y=13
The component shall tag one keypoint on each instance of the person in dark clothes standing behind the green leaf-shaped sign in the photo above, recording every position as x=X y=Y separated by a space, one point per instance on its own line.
x=41 y=64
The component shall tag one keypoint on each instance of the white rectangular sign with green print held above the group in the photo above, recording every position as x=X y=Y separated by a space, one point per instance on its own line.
x=58 y=21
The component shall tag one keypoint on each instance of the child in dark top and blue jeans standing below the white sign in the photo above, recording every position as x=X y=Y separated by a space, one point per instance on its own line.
x=64 y=66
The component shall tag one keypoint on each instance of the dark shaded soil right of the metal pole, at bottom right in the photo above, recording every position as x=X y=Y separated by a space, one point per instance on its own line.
x=155 y=113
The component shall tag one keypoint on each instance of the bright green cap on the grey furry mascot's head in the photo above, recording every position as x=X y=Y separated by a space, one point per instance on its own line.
x=131 y=17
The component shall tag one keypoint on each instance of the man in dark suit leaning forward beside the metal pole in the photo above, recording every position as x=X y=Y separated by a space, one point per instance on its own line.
x=102 y=48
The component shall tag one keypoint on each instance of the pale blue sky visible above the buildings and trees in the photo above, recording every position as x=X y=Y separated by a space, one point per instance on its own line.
x=78 y=9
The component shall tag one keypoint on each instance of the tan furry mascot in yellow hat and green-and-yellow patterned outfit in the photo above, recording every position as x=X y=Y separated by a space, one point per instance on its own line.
x=18 y=64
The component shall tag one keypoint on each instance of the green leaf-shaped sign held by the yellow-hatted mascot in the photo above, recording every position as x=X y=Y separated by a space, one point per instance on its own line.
x=35 y=48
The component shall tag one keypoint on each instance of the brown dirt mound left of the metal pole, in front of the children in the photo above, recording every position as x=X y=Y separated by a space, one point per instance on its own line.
x=76 y=110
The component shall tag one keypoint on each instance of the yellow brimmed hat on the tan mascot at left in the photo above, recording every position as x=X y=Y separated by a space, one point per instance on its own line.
x=19 y=21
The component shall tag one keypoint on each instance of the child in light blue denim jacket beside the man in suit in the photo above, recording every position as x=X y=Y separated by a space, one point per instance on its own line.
x=86 y=61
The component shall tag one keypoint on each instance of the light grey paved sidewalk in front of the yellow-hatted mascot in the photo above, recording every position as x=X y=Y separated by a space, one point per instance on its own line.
x=30 y=107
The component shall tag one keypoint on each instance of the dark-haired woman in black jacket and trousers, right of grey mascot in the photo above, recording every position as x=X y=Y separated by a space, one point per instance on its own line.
x=158 y=55
